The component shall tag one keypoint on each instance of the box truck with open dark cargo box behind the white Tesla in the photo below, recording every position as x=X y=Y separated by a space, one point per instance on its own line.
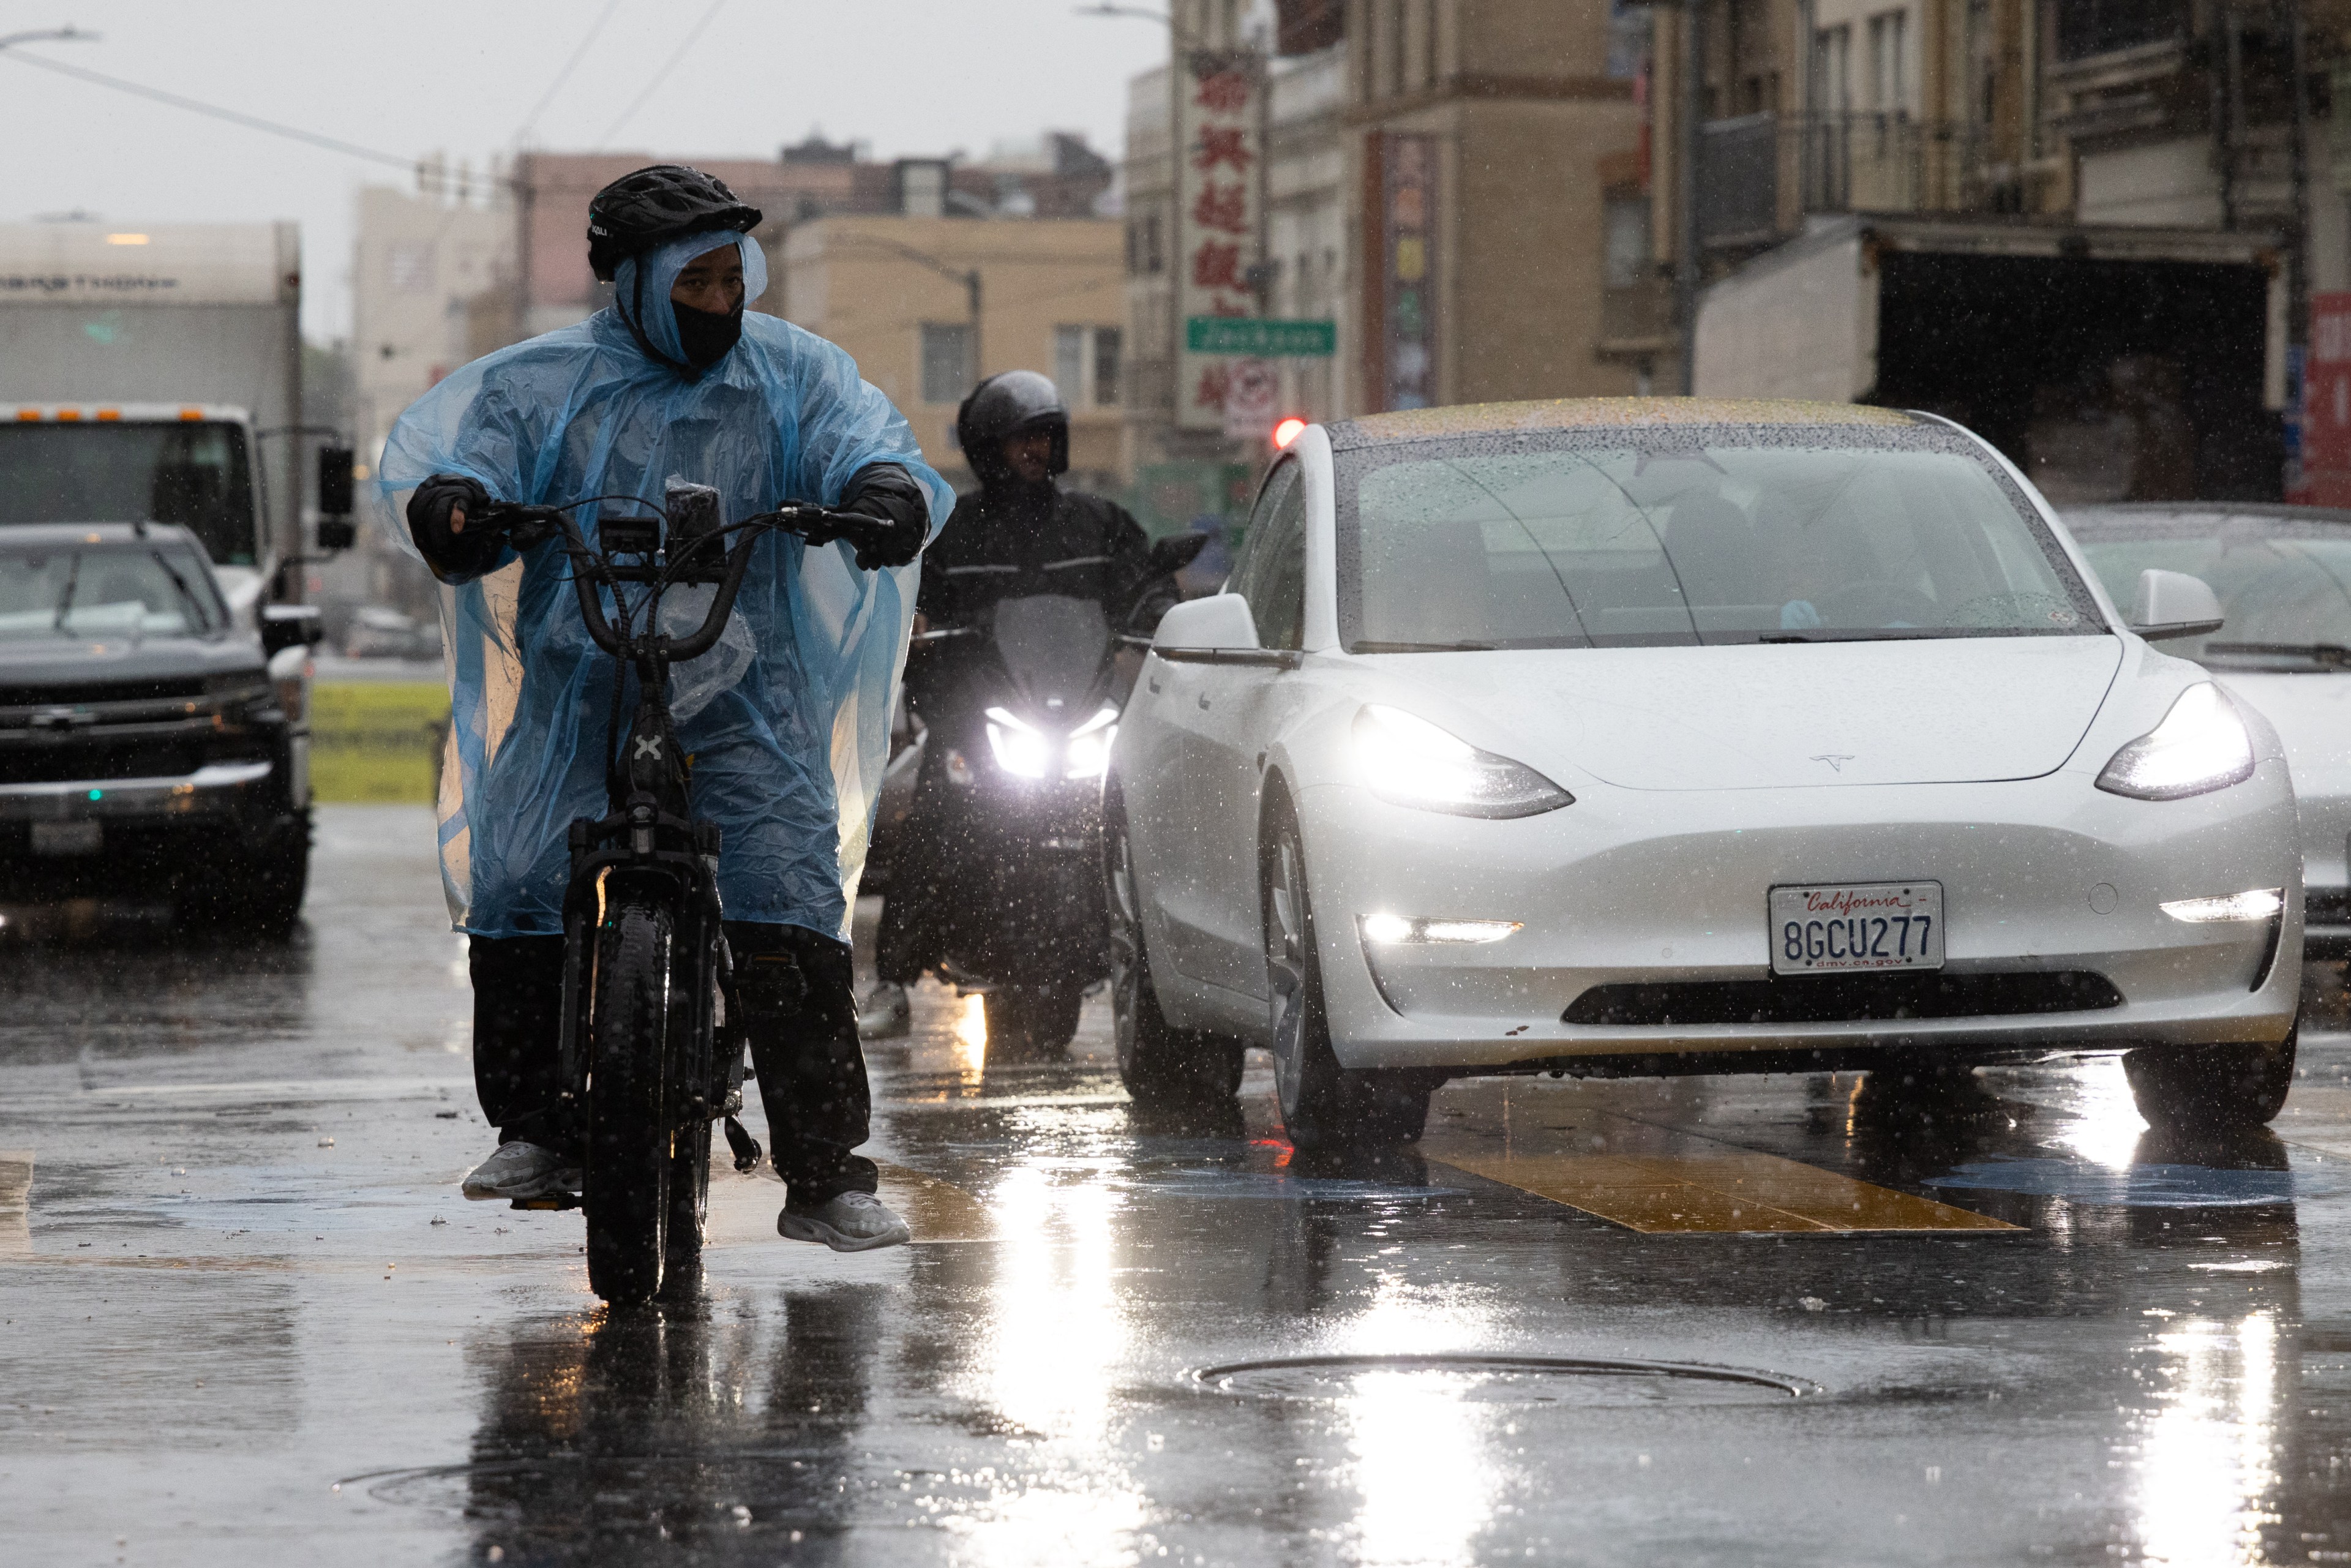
x=2108 y=363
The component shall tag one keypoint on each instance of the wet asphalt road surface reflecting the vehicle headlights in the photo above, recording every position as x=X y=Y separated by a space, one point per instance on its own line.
x=248 y=1318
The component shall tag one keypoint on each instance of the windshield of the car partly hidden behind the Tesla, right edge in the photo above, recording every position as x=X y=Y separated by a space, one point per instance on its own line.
x=2284 y=582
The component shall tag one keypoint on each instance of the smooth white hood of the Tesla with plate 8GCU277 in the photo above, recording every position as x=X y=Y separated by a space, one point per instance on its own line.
x=1790 y=716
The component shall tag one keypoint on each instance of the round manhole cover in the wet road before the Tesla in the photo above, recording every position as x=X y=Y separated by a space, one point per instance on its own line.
x=1555 y=1381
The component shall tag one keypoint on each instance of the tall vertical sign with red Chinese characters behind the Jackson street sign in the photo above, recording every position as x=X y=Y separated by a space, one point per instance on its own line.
x=1219 y=201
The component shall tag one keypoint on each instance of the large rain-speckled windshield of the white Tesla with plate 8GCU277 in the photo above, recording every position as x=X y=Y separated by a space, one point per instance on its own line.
x=1687 y=535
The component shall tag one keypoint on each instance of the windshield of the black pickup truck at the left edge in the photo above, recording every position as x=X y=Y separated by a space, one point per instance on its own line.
x=107 y=594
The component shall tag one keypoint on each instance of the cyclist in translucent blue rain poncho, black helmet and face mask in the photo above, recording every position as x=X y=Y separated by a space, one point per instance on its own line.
x=786 y=721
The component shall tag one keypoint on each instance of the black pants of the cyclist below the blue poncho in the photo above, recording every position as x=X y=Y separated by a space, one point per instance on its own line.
x=803 y=1045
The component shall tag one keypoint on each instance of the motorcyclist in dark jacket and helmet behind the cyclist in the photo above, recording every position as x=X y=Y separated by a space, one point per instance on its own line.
x=1019 y=535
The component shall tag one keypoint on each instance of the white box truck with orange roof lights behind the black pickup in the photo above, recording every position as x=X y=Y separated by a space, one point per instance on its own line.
x=154 y=375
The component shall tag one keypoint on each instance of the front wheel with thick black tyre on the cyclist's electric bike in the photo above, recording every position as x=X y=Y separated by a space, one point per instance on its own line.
x=629 y=1127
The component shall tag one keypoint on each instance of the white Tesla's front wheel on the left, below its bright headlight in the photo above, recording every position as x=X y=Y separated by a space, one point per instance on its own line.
x=1322 y=1104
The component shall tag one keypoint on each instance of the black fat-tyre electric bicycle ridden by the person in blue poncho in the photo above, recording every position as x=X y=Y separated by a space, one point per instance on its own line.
x=652 y=1026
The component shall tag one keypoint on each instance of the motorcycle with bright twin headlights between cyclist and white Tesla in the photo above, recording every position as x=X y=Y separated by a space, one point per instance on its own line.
x=1022 y=711
